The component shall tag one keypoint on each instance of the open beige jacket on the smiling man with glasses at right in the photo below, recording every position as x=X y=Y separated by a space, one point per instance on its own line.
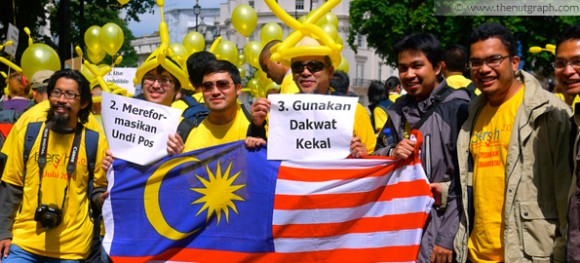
x=538 y=177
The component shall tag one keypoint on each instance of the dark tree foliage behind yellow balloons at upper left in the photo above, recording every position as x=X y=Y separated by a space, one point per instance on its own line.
x=32 y=14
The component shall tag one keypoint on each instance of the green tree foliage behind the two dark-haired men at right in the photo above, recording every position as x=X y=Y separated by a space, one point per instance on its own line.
x=384 y=22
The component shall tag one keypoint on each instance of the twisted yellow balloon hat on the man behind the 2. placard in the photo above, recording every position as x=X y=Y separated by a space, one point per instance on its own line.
x=165 y=56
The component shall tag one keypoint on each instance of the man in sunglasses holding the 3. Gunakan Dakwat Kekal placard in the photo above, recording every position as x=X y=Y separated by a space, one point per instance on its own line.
x=312 y=75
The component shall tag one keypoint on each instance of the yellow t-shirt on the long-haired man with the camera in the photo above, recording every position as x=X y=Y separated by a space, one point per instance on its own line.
x=72 y=238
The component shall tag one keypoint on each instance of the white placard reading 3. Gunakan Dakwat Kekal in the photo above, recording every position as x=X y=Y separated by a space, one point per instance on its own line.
x=310 y=127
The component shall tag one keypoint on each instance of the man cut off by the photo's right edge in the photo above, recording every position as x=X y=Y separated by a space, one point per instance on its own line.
x=567 y=70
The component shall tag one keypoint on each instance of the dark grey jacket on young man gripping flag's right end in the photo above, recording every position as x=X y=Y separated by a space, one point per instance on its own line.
x=438 y=156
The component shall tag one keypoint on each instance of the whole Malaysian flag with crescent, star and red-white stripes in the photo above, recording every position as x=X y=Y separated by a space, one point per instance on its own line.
x=230 y=204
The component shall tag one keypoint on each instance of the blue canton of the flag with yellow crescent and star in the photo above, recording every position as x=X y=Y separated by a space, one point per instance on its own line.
x=218 y=198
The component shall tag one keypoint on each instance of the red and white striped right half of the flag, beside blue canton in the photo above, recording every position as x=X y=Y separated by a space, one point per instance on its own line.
x=348 y=210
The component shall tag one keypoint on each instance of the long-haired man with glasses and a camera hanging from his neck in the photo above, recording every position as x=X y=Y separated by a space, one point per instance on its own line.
x=45 y=201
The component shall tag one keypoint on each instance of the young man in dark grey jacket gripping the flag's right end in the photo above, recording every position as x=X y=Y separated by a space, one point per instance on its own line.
x=437 y=110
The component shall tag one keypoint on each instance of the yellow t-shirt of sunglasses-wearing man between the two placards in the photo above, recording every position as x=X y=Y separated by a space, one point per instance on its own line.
x=207 y=134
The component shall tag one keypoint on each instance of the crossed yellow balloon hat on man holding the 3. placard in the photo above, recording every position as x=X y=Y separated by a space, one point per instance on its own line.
x=286 y=50
